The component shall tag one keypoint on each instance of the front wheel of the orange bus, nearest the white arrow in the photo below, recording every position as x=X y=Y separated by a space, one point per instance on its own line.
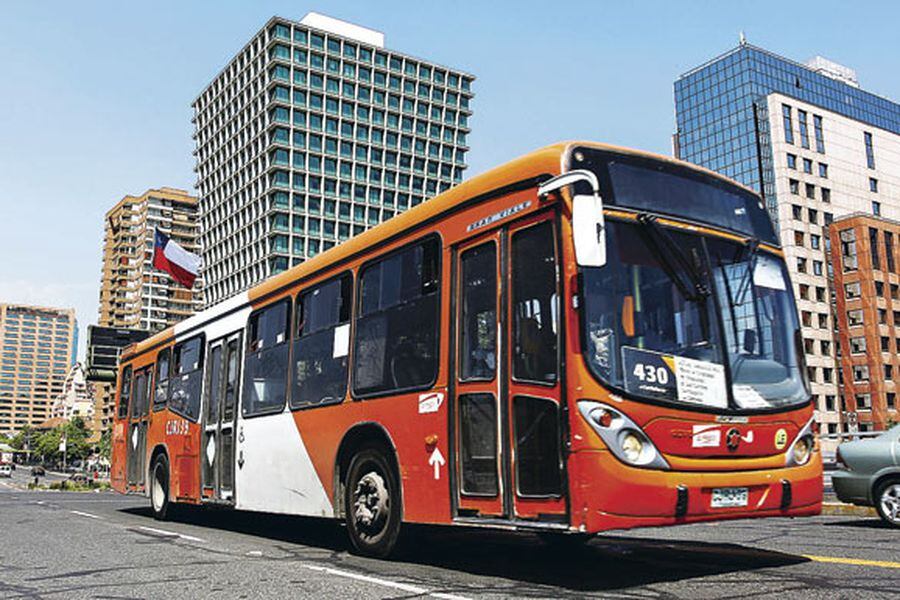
x=372 y=503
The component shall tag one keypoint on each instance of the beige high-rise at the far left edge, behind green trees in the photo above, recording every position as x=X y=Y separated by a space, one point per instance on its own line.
x=36 y=345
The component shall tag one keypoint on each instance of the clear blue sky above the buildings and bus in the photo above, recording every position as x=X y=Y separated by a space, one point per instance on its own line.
x=95 y=96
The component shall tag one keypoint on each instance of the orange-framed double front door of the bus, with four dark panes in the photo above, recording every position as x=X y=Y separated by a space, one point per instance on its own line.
x=507 y=416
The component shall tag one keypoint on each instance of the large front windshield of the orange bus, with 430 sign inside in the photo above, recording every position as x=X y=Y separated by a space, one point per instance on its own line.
x=670 y=310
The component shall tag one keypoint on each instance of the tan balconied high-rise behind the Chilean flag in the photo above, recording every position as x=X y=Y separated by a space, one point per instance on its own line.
x=133 y=294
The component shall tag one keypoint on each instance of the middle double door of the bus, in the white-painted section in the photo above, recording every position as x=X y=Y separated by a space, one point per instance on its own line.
x=220 y=398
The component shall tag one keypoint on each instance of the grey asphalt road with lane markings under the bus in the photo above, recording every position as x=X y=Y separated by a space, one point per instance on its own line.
x=102 y=545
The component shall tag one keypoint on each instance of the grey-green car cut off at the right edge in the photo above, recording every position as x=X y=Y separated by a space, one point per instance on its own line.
x=869 y=474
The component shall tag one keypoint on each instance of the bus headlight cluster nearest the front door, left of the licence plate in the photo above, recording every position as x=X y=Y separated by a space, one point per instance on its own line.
x=621 y=435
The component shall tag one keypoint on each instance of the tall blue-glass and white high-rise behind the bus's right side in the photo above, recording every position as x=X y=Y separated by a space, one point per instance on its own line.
x=817 y=146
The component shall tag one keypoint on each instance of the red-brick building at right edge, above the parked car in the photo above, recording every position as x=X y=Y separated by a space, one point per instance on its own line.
x=864 y=252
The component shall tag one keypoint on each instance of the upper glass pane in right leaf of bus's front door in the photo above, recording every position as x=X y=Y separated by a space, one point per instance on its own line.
x=534 y=304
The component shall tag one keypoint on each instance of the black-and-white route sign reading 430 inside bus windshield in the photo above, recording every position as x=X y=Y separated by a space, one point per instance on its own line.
x=667 y=377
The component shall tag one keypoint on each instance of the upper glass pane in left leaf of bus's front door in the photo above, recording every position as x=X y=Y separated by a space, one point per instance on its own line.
x=478 y=347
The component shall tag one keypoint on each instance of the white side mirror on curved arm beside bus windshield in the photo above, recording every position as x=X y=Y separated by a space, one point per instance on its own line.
x=588 y=229
